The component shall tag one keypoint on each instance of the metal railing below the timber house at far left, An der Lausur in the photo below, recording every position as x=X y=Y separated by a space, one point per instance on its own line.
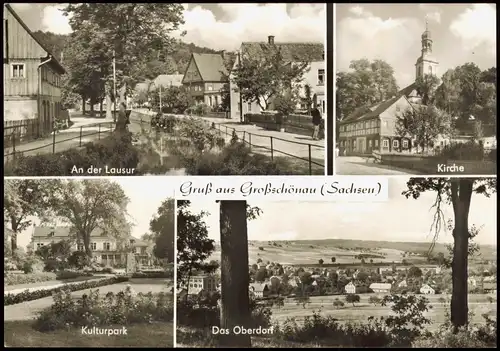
x=15 y=144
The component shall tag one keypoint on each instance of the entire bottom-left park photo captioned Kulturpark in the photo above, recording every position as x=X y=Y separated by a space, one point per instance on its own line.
x=88 y=263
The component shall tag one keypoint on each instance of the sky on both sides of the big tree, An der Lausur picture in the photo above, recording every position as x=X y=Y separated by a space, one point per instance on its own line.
x=217 y=26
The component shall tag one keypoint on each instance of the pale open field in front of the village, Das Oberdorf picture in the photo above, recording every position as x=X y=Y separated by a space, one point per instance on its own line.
x=478 y=304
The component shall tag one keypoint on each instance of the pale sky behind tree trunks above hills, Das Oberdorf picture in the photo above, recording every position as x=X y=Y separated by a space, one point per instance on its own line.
x=398 y=219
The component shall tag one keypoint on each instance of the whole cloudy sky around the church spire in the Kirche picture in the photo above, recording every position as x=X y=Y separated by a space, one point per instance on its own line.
x=392 y=32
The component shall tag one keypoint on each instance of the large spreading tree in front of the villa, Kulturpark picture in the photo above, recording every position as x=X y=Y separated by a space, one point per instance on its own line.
x=89 y=205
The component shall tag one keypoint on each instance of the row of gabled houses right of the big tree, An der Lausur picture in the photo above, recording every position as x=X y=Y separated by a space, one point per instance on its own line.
x=206 y=75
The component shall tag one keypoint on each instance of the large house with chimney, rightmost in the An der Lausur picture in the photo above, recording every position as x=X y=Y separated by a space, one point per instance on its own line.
x=314 y=77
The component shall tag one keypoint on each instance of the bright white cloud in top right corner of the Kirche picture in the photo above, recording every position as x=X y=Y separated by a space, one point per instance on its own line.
x=476 y=26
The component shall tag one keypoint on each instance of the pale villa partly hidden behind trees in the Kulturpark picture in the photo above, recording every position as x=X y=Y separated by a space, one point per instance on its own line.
x=106 y=250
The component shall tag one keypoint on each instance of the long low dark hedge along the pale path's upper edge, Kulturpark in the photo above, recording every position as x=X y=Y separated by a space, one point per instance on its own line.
x=12 y=299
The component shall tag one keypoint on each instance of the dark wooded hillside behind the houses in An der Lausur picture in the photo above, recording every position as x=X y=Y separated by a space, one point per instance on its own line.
x=176 y=60
